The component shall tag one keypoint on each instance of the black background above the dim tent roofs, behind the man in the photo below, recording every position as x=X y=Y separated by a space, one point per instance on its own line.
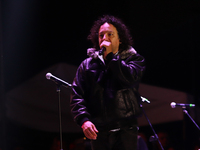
x=37 y=34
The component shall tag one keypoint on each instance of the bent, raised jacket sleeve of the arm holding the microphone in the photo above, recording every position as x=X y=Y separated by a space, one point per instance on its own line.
x=128 y=71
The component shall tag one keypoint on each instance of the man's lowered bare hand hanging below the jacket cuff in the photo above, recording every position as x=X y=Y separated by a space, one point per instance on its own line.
x=89 y=130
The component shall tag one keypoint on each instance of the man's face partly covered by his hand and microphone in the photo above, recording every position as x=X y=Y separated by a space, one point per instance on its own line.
x=108 y=33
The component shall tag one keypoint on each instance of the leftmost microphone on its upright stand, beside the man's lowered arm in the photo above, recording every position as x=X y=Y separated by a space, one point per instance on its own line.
x=59 y=83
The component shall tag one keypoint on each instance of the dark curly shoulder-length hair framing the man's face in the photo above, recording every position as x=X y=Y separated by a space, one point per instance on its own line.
x=123 y=32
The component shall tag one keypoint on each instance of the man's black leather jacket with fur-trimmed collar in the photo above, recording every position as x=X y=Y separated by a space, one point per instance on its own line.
x=107 y=93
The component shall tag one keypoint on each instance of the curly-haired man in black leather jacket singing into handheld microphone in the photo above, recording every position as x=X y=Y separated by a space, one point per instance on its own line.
x=105 y=101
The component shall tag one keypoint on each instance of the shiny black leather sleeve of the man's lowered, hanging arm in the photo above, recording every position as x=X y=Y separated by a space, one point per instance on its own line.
x=77 y=101
